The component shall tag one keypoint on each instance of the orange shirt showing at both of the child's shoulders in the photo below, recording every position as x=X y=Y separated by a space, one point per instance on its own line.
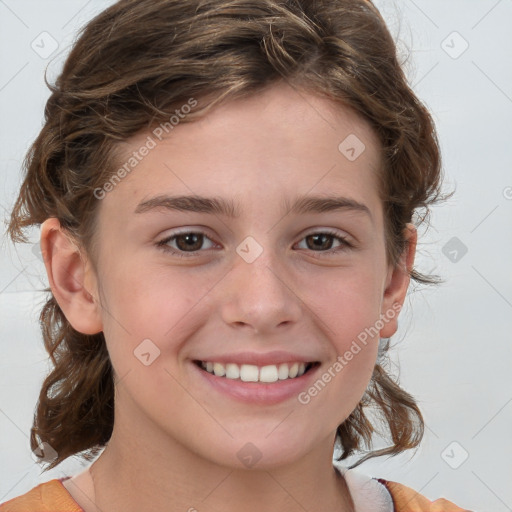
x=52 y=496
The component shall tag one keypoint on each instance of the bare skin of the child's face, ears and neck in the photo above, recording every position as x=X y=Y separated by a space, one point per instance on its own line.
x=175 y=439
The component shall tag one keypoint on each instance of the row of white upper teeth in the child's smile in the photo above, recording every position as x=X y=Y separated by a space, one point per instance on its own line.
x=253 y=373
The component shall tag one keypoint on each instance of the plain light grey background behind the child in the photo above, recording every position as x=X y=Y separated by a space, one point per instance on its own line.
x=453 y=346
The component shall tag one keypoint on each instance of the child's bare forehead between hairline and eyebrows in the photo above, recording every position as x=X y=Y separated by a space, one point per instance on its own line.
x=281 y=142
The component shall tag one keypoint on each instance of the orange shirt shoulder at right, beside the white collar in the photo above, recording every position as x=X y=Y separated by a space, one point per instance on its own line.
x=406 y=499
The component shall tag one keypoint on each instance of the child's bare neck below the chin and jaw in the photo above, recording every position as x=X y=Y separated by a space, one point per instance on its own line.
x=130 y=474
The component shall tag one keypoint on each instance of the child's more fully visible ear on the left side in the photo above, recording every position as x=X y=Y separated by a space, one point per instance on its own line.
x=69 y=276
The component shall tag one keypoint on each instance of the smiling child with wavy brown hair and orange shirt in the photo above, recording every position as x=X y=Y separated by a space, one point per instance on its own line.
x=226 y=192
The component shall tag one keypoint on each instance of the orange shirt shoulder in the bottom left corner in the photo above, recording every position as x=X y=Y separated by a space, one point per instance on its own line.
x=50 y=496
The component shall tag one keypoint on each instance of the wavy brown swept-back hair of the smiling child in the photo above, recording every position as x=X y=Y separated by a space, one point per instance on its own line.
x=130 y=68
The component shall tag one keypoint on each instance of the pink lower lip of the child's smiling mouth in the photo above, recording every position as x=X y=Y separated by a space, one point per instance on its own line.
x=258 y=392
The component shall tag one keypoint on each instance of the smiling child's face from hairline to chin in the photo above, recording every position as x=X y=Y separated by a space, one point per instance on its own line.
x=273 y=284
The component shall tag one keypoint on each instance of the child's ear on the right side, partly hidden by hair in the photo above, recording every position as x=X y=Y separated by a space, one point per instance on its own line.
x=397 y=283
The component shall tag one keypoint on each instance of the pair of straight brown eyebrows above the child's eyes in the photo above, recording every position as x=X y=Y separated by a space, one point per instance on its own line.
x=228 y=208
